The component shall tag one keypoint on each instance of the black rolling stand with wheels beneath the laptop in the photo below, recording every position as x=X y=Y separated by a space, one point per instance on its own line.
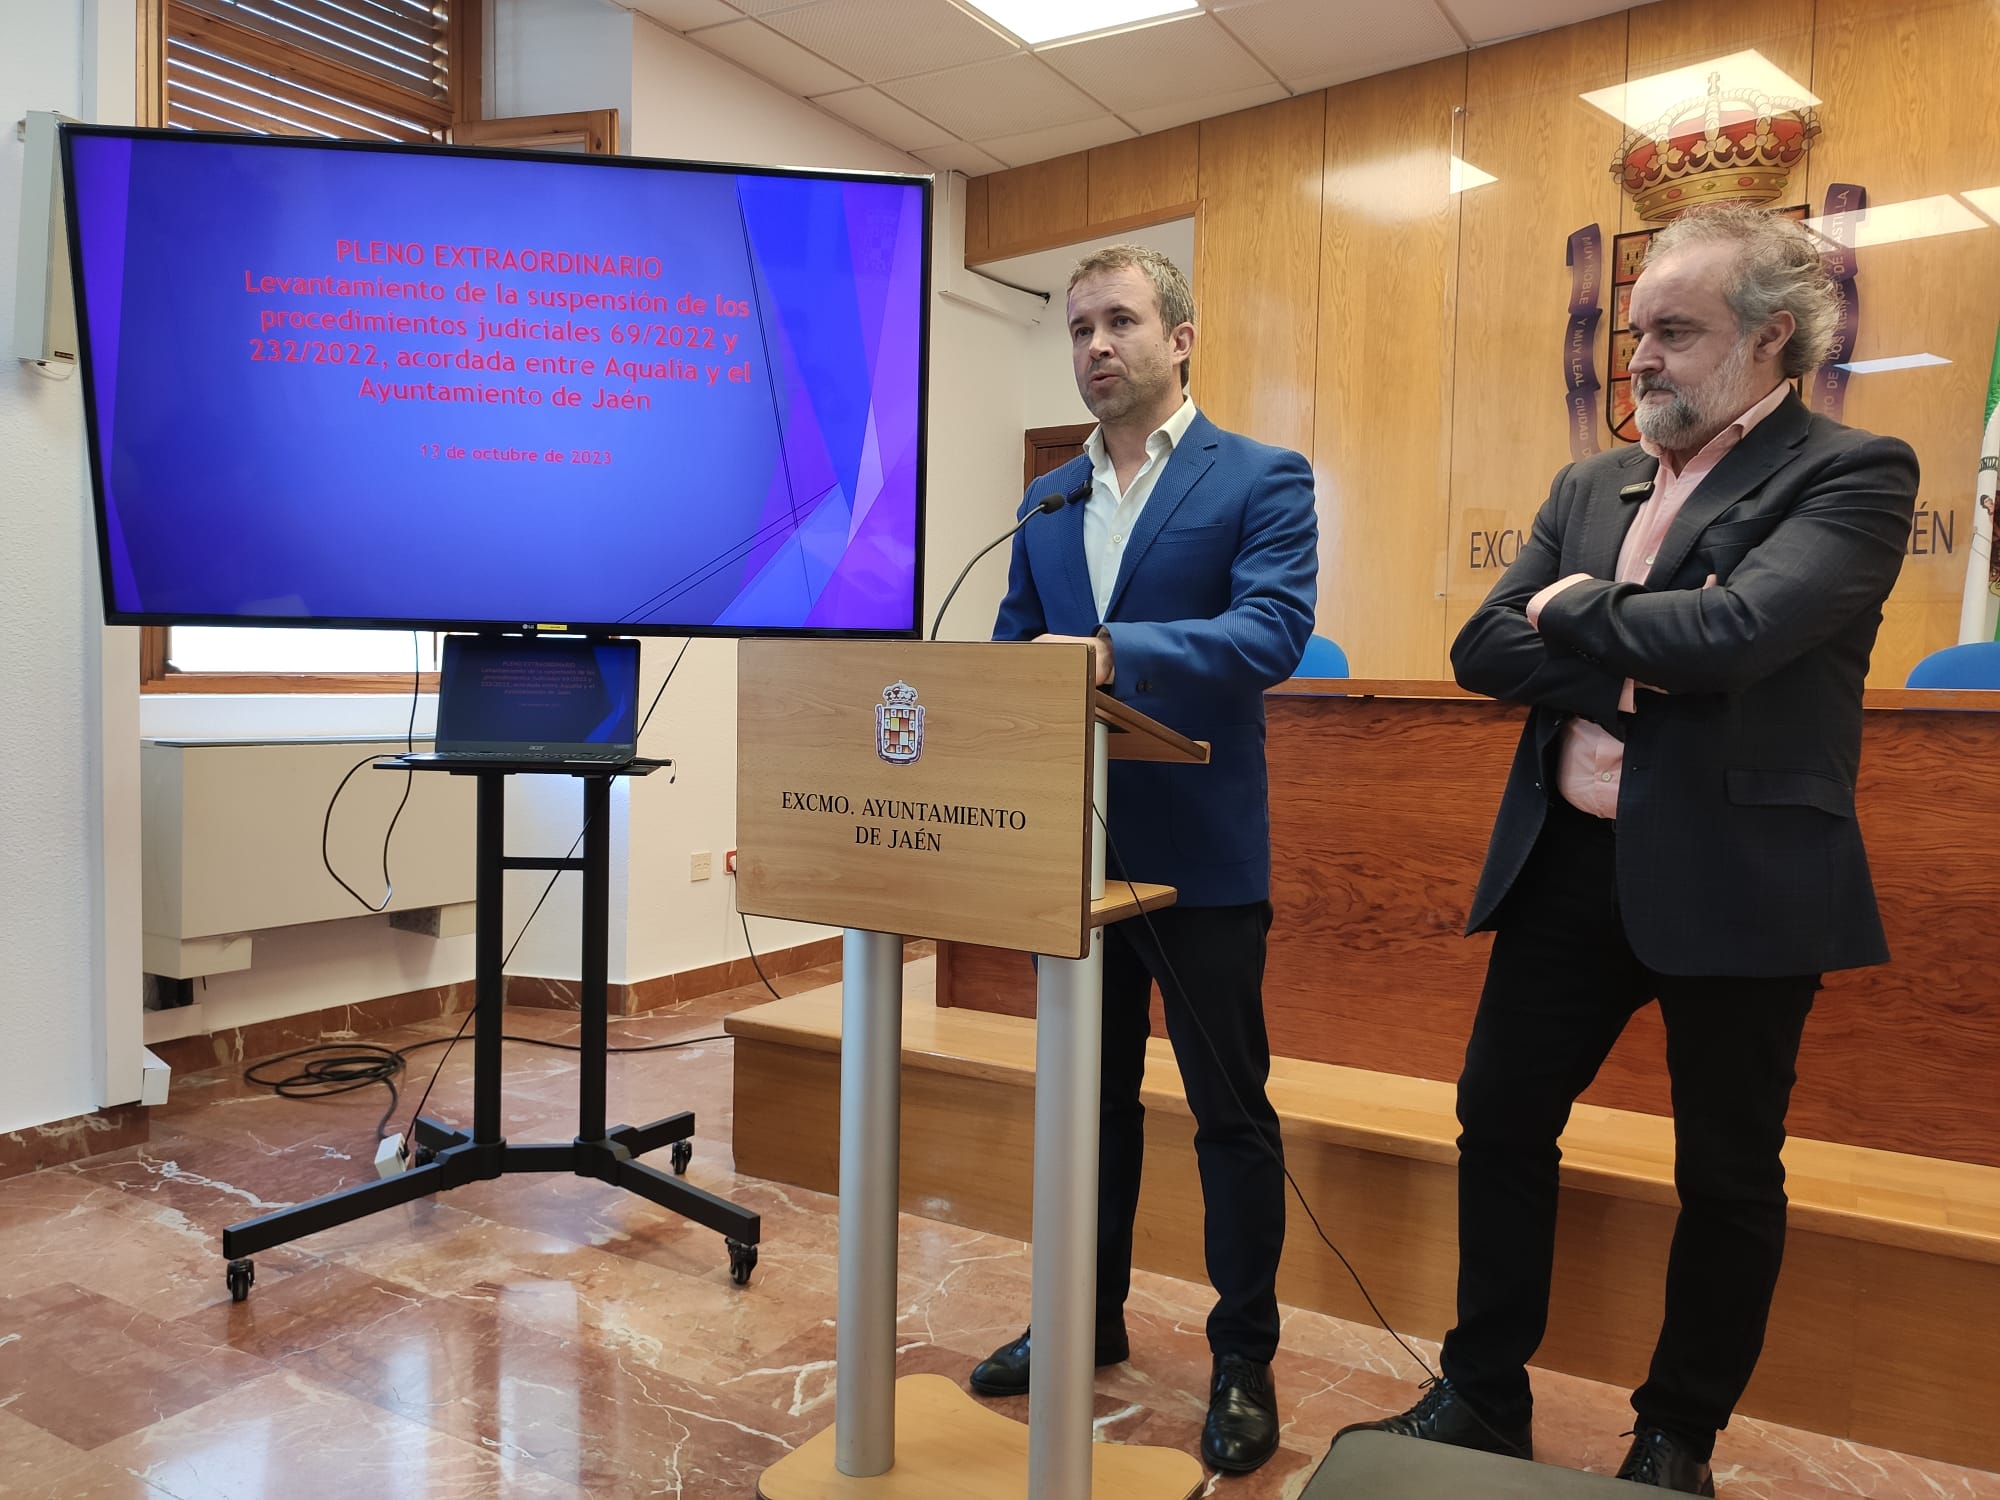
x=449 y=1159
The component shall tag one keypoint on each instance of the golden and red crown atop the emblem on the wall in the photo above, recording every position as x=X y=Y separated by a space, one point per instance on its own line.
x=1729 y=147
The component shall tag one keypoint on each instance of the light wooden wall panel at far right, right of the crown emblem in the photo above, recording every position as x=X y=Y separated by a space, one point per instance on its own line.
x=1907 y=113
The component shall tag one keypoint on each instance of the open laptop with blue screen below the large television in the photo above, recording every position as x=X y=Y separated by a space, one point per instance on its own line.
x=519 y=703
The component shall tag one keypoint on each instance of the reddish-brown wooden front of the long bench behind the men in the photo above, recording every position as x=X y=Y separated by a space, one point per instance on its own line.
x=1373 y=871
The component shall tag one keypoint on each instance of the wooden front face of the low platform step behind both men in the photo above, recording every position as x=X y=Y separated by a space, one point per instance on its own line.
x=1869 y=1341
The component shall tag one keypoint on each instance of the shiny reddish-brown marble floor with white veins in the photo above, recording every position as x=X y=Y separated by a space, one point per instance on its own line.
x=555 y=1337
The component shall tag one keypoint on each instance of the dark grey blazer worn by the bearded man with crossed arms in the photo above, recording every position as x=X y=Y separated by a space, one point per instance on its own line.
x=1737 y=839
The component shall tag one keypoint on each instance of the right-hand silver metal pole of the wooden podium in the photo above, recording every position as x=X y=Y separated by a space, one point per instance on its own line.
x=1069 y=1043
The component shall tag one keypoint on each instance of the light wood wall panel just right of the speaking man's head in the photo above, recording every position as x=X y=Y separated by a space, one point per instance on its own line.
x=1257 y=269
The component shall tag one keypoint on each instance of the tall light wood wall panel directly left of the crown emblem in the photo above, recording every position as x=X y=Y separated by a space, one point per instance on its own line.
x=1551 y=153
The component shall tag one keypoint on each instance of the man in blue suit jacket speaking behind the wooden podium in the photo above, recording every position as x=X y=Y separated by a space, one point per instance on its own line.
x=1191 y=571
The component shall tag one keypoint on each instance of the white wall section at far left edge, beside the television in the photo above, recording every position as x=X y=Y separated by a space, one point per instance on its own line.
x=69 y=789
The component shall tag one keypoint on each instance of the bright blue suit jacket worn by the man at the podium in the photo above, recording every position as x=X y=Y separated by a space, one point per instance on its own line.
x=1213 y=605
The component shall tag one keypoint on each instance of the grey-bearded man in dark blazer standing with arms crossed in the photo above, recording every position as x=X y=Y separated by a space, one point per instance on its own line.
x=1691 y=625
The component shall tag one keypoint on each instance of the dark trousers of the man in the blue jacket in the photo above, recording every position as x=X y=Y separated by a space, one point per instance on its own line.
x=1215 y=1019
